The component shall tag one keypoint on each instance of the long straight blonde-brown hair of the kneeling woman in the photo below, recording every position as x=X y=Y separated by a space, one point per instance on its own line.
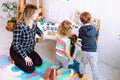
x=27 y=13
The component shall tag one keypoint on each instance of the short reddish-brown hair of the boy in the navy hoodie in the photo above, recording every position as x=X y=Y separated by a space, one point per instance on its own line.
x=85 y=17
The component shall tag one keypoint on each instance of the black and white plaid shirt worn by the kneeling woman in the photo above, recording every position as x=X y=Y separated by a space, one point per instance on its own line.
x=24 y=38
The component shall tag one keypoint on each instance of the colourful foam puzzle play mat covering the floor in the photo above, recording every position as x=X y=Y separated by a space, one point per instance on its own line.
x=37 y=75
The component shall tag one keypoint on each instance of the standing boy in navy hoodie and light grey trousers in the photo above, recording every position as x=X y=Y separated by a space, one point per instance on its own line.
x=88 y=34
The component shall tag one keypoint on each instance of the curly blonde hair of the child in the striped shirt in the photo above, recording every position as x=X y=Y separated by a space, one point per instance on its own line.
x=65 y=29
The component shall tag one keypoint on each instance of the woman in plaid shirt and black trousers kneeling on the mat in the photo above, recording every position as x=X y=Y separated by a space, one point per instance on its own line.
x=22 y=47
